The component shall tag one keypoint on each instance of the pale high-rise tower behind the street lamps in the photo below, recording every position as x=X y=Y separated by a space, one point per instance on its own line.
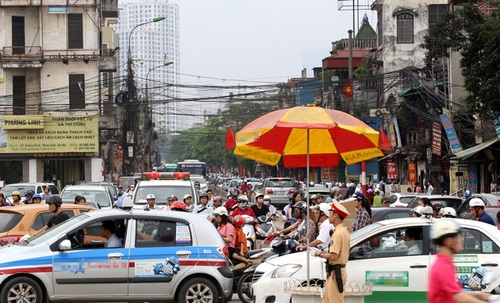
x=151 y=46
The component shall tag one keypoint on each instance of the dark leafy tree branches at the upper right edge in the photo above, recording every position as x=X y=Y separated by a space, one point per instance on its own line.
x=476 y=36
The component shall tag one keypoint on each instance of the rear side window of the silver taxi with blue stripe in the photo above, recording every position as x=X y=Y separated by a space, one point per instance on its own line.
x=154 y=233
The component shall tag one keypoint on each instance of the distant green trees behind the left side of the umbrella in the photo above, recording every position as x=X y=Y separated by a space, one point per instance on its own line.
x=208 y=143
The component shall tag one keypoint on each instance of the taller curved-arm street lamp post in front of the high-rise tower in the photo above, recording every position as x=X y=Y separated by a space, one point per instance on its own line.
x=130 y=125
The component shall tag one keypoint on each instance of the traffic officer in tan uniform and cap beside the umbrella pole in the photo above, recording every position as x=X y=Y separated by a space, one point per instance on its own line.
x=337 y=255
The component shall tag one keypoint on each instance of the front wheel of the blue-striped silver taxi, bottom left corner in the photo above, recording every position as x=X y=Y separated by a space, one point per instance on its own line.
x=21 y=289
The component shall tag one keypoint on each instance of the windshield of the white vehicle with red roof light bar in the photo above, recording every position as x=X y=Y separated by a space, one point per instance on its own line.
x=161 y=193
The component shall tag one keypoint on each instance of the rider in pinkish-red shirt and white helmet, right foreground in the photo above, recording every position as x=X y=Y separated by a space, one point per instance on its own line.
x=443 y=285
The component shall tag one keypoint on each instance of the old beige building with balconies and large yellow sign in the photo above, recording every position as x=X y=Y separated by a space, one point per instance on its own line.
x=50 y=57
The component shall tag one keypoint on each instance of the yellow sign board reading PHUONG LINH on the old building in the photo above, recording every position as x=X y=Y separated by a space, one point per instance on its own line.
x=48 y=134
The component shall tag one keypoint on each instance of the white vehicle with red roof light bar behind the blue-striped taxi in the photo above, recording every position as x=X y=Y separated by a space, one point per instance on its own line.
x=163 y=185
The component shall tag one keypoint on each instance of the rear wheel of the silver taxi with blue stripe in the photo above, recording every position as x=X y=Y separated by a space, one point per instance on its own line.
x=198 y=290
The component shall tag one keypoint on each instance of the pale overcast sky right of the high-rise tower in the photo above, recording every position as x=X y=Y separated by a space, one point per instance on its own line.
x=258 y=40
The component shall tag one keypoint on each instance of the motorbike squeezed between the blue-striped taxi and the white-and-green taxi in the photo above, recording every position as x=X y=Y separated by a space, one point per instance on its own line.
x=279 y=246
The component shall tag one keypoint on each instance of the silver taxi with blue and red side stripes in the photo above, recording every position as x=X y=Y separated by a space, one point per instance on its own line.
x=164 y=256
